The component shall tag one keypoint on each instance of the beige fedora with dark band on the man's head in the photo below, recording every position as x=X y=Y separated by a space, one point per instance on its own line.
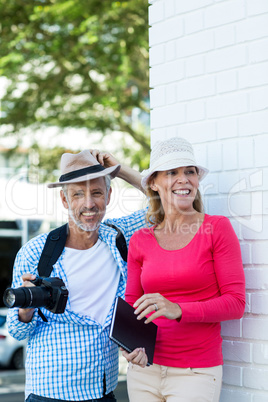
x=81 y=167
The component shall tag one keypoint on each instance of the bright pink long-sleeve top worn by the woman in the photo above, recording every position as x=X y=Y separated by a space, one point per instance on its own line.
x=205 y=278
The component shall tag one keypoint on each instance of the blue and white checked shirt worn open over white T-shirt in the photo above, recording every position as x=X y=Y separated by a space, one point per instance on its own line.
x=68 y=356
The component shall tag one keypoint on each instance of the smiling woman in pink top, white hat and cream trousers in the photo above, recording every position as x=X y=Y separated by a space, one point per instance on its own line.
x=185 y=273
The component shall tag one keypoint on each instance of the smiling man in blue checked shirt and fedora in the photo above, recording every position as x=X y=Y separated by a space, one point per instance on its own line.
x=70 y=357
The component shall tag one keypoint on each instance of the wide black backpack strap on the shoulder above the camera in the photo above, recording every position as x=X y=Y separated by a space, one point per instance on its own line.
x=53 y=247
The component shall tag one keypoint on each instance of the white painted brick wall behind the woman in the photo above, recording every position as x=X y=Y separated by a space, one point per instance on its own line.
x=209 y=80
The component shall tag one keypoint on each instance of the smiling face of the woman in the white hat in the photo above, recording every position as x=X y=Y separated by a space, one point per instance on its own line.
x=177 y=189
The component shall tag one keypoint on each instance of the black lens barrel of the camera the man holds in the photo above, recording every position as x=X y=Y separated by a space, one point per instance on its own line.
x=26 y=297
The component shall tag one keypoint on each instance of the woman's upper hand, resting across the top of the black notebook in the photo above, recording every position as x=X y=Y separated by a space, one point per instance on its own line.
x=159 y=304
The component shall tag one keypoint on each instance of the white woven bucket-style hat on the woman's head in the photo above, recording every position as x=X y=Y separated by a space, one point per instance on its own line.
x=171 y=154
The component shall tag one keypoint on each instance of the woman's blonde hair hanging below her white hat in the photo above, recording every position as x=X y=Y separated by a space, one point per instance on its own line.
x=155 y=214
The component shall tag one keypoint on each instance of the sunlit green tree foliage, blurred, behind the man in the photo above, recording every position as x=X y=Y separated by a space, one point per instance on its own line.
x=76 y=63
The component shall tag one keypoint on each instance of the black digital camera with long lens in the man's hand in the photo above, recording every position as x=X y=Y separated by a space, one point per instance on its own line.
x=50 y=293
